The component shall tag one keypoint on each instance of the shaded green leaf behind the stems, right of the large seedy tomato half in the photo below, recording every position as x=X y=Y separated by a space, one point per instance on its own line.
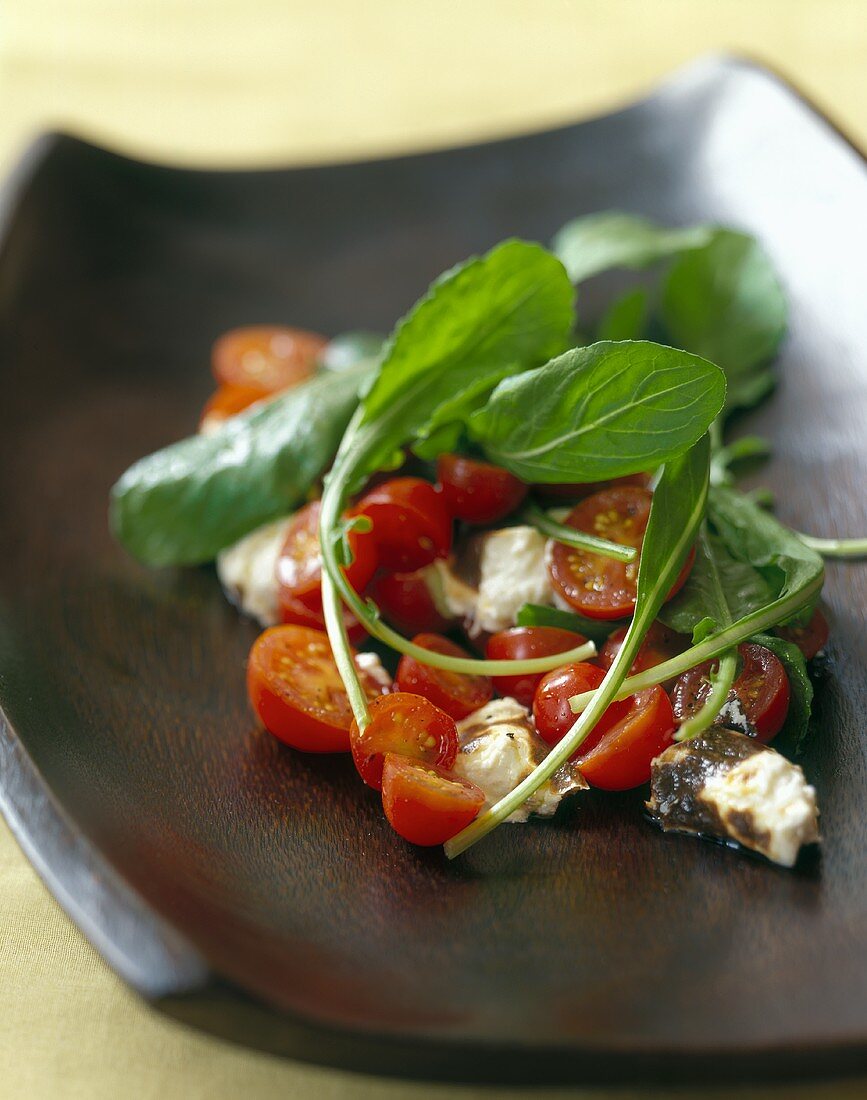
x=720 y=591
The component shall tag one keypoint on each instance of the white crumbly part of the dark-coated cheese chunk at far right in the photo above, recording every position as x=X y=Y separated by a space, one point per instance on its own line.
x=775 y=797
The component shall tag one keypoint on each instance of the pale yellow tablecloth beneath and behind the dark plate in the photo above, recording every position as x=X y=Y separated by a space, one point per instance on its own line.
x=244 y=82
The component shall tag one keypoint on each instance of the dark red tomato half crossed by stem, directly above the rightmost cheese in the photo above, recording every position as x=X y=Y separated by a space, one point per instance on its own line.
x=761 y=690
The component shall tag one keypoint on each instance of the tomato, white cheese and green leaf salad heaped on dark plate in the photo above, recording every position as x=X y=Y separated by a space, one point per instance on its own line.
x=535 y=535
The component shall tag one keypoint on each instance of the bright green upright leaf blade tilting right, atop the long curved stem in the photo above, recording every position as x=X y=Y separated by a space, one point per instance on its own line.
x=510 y=310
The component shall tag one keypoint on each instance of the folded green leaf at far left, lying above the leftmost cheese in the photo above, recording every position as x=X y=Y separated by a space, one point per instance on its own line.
x=184 y=504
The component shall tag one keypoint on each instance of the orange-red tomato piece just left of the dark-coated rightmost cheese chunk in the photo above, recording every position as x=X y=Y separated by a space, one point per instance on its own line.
x=619 y=757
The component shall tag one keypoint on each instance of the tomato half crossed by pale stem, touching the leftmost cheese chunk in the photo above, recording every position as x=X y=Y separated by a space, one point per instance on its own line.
x=300 y=566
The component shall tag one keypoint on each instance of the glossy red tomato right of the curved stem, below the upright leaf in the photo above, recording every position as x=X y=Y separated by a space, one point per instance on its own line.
x=411 y=523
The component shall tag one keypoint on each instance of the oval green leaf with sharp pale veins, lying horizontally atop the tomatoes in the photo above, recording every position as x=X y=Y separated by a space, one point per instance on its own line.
x=600 y=412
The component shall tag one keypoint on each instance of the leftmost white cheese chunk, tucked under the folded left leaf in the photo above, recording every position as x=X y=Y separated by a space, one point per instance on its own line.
x=248 y=571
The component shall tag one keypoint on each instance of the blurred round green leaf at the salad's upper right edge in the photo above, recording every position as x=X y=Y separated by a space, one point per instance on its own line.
x=726 y=303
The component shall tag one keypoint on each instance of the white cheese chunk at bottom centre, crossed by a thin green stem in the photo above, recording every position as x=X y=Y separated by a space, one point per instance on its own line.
x=500 y=747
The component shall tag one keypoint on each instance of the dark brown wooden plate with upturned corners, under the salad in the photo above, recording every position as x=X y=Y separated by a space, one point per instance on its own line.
x=260 y=894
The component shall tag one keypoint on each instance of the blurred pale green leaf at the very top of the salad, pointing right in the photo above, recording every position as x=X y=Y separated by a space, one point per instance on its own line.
x=611 y=239
